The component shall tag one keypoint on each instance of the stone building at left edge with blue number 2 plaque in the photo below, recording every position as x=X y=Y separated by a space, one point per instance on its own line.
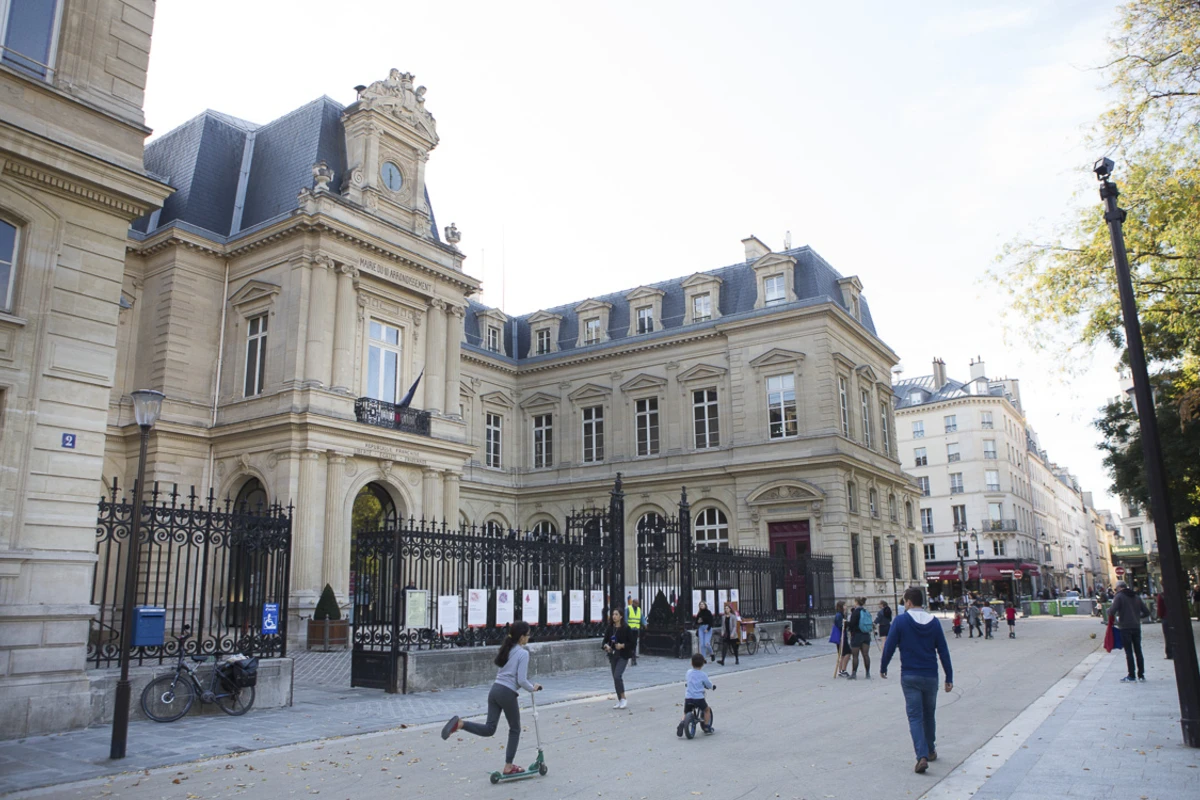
x=71 y=182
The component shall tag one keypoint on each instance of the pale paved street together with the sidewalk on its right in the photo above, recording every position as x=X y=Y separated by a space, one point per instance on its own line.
x=1039 y=717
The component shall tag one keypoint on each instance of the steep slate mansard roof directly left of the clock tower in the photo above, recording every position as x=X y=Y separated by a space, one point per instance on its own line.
x=203 y=160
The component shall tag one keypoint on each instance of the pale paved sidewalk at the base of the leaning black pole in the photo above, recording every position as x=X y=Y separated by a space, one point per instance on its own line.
x=1105 y=739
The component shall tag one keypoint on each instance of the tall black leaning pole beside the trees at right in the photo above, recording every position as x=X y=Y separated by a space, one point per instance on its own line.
x=1186 y=672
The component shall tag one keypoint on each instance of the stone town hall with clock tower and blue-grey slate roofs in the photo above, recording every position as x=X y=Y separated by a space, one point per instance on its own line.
x=297 y=286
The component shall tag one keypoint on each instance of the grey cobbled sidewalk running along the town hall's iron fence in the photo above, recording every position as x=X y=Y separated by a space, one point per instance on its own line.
x=325 y=707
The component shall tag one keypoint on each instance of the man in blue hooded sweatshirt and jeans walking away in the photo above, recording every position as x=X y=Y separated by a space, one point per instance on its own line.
x=919 y=636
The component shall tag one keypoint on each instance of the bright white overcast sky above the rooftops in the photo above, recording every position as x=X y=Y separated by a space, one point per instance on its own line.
x=592 y=148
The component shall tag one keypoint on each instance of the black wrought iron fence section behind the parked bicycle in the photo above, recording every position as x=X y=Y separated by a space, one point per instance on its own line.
x=208 y=563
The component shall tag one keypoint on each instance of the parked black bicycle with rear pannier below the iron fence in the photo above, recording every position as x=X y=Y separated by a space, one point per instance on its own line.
x=231 y=687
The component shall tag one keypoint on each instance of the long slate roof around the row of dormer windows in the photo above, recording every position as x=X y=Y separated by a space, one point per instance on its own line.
x=815 y=282
